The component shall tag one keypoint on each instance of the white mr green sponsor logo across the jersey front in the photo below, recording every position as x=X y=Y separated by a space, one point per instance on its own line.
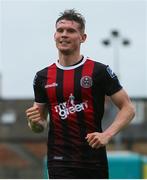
x=69 y=107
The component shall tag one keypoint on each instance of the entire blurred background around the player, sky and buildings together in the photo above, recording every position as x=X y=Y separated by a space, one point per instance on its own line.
x=117 y=35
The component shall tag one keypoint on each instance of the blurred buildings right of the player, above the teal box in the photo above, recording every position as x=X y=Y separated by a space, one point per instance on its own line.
x=133 y=137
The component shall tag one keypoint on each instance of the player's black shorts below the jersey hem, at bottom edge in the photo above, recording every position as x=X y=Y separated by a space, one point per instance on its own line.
x=77 y=173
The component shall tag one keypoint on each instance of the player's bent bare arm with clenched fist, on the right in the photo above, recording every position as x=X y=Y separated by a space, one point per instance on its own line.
x=124 y=116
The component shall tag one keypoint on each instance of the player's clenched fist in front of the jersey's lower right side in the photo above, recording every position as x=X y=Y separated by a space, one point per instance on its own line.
x=97 y=140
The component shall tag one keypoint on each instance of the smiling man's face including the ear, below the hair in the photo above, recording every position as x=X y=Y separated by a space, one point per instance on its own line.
x=68 y=36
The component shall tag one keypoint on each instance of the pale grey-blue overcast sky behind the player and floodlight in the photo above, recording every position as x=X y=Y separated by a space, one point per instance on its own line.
x=27 y=40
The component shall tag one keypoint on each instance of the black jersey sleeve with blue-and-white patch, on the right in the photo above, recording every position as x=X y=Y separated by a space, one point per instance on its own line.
x=111 y=82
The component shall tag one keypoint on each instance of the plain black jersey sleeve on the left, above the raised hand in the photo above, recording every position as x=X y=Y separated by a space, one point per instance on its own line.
x=39 y=91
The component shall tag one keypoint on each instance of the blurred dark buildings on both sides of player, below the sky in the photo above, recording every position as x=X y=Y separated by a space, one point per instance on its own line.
x=22 y=151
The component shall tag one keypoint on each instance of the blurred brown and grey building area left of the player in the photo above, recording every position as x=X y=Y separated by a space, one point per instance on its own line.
x=21 y=150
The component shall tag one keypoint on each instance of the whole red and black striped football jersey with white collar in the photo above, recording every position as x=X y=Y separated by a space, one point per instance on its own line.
x=75 y=99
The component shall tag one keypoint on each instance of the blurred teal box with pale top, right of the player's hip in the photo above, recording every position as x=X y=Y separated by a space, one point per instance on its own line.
x=125 y=165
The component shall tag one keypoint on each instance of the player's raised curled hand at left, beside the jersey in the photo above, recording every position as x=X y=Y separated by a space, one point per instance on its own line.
x=33 y=114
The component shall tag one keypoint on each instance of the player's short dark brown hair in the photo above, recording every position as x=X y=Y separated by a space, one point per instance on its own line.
x=73 y=15
